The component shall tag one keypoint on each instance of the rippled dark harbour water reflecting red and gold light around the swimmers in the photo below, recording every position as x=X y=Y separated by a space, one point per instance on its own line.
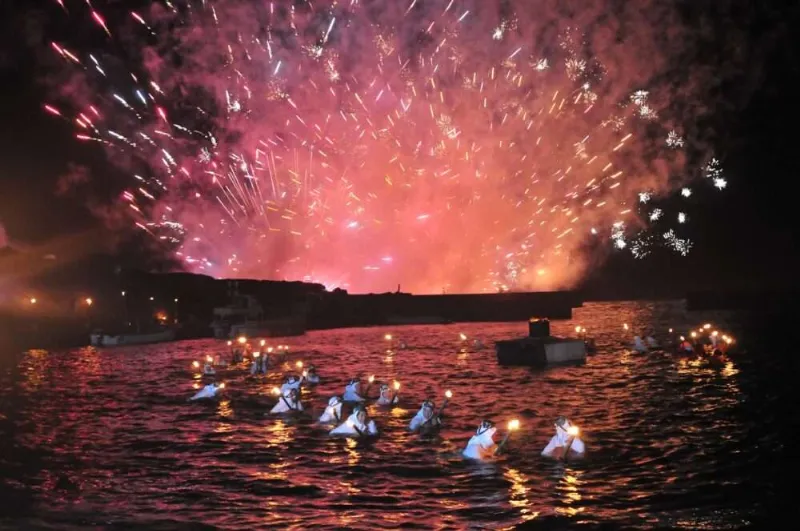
x=105 y=438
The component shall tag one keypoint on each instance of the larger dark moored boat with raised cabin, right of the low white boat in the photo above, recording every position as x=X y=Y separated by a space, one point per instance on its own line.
x=244 y=316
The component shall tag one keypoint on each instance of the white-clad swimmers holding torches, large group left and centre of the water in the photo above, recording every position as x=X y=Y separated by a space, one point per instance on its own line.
x=565 y=444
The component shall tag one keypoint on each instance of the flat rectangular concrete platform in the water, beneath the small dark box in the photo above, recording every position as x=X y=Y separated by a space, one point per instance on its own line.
x=540 y=351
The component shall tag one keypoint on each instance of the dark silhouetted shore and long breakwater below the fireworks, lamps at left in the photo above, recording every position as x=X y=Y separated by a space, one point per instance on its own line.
x=62 y=315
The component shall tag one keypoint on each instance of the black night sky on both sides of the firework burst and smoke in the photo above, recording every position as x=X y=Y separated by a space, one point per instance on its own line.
x=744 y=236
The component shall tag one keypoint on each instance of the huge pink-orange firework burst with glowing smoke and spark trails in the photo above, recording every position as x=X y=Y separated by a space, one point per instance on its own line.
x=439 y=144
